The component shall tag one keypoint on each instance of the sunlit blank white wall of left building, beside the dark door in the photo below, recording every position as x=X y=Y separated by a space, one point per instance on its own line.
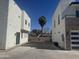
x=13 y=24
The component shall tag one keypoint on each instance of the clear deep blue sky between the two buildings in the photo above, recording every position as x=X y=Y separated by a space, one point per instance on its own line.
x=37 y=8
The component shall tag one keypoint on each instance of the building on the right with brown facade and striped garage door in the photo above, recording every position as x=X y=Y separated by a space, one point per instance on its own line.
x=66 y=24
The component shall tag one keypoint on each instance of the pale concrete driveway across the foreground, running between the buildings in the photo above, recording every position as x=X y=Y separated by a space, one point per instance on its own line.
x=31 y=51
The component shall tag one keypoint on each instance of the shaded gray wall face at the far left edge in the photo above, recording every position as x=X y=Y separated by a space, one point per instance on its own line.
x=3 y=22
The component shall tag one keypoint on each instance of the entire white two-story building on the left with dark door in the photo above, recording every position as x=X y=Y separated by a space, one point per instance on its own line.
x=14 y=24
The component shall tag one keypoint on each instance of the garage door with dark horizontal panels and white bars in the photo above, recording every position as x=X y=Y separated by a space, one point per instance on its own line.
x=74 y=36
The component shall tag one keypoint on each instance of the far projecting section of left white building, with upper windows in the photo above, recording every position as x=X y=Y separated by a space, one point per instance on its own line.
x=25 y=27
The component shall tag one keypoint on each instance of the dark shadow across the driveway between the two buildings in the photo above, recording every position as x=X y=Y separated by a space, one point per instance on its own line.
x=42 y=45
